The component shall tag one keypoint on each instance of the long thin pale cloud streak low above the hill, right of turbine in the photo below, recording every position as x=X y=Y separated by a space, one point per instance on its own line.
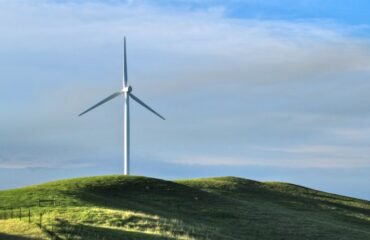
x=337 y=160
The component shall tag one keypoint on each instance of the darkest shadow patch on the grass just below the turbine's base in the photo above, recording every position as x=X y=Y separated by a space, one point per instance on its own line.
x=153 y=196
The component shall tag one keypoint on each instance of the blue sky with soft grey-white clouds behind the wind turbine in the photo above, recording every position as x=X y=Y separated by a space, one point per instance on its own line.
x=265 y=90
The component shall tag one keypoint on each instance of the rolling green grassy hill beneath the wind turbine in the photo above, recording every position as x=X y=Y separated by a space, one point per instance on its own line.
x=119 y=207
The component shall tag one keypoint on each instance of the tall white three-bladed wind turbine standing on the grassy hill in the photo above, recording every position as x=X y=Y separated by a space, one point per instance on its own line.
x=126 y=91
